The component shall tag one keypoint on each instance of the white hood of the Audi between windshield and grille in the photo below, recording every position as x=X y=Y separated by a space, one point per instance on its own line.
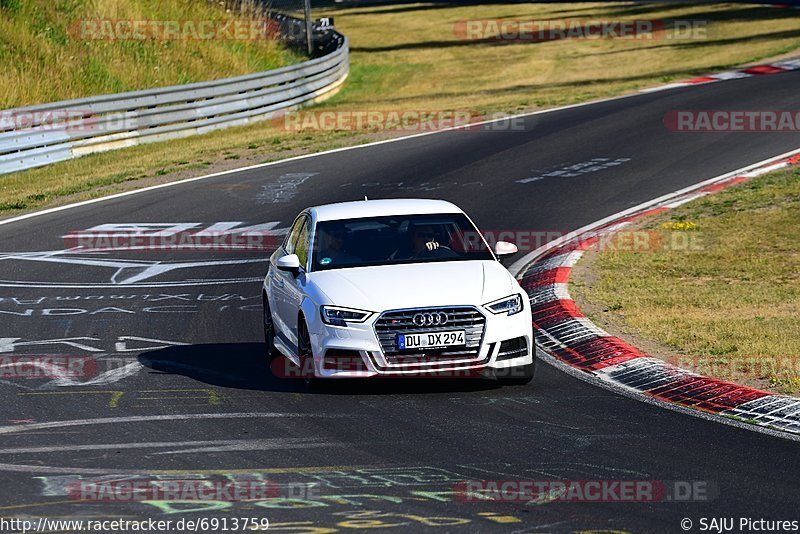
x=415 y=285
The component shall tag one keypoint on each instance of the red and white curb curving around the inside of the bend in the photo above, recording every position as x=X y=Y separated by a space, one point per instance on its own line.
x=567 y=336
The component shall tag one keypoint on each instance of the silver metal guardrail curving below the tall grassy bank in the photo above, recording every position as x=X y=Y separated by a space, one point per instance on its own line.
x=68 y=129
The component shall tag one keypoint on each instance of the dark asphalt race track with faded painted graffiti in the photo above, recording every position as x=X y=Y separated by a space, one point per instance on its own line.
x=176 y=384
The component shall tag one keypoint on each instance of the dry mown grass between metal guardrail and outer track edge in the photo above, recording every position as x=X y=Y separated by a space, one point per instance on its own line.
x=409 y=57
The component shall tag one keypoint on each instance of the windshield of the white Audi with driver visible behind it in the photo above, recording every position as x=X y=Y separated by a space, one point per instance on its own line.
x=396 y=239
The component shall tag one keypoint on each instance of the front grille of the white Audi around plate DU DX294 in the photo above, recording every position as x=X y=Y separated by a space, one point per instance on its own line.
x=466 y=318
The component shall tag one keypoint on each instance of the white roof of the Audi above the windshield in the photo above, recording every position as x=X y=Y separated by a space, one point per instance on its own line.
x=378 y=208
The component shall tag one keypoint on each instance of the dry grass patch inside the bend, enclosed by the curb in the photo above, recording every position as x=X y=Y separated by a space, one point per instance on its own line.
x=728 y=308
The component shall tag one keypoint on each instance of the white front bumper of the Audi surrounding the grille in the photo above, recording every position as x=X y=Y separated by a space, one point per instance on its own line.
x=354 y=351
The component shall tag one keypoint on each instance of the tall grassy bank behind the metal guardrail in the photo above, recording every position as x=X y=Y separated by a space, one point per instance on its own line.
x=48 y=53
